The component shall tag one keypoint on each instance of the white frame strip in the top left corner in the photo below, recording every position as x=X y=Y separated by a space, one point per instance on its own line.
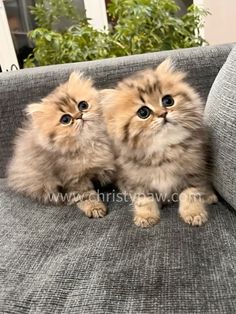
x=8 y=59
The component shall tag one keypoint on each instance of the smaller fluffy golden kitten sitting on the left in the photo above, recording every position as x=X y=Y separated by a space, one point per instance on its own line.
x=62 y=147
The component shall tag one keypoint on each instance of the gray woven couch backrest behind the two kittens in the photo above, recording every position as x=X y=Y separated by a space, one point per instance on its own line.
x=22 y=87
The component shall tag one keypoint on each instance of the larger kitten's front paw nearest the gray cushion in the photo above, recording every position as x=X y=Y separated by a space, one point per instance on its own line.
x=194 y=214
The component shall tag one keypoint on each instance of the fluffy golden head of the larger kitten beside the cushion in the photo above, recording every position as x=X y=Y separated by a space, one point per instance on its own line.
x=151 y=107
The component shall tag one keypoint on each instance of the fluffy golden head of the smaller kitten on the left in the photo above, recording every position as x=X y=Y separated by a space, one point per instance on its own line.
x=68 y=115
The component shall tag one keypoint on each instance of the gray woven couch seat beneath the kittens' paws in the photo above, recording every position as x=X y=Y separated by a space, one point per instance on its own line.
x=56 y=260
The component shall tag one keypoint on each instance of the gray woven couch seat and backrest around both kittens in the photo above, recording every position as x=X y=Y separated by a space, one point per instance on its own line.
x=56 y=260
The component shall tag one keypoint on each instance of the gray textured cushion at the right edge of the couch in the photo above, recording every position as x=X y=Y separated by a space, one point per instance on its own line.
x=220 y=117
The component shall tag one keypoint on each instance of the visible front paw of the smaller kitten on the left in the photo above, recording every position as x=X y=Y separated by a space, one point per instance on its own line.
x=93 y=209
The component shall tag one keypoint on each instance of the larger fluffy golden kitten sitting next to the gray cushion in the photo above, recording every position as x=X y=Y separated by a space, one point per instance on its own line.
x=155 y=121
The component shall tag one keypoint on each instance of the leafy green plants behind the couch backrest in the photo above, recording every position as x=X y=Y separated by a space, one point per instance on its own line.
x=139 y=26
